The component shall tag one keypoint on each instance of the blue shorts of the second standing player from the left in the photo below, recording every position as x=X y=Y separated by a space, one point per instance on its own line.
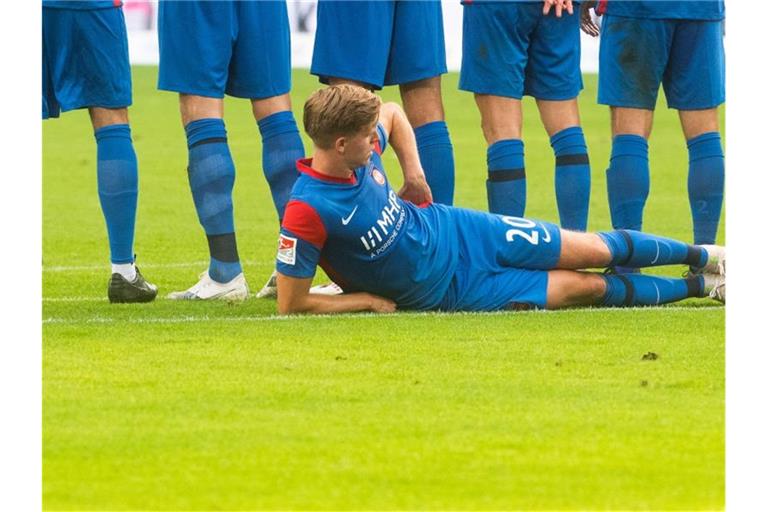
x=208 y=48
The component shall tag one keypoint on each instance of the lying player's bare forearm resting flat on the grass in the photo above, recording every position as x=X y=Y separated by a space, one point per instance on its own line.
x=293 y=297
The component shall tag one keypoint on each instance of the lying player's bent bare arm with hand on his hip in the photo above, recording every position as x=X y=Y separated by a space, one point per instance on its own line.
x=403 y=141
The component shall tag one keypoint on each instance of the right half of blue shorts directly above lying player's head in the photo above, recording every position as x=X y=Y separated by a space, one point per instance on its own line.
x=418 y=43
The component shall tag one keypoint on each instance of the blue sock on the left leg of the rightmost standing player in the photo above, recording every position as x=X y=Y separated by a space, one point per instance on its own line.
x=628 y=181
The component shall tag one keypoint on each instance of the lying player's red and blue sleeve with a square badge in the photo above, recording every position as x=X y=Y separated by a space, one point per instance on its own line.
x=302 y=237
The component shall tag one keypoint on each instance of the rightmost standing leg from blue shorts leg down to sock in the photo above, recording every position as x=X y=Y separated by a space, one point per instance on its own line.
x=695 y=85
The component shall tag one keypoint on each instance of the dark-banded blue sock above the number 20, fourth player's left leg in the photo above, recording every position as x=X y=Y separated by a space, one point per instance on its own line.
x=506 y=178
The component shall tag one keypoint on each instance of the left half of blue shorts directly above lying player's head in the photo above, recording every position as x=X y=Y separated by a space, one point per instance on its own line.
x=352 y=41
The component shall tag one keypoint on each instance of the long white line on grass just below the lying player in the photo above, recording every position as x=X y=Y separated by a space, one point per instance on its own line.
x=205 y=318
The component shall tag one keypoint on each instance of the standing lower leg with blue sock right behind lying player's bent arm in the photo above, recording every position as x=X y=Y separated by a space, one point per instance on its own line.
x=423 y=105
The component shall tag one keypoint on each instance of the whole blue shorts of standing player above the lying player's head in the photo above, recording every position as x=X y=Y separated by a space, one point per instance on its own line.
x=379 y=43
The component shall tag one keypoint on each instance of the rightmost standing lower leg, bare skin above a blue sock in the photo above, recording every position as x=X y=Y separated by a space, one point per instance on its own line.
x=706 y=172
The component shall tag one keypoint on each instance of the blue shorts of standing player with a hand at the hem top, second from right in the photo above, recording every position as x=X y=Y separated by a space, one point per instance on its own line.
x=511 y=49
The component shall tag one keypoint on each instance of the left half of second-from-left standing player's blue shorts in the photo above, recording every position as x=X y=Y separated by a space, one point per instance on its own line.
x=195 y=40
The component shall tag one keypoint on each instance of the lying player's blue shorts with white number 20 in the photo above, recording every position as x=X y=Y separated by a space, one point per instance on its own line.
x=503 y=262
